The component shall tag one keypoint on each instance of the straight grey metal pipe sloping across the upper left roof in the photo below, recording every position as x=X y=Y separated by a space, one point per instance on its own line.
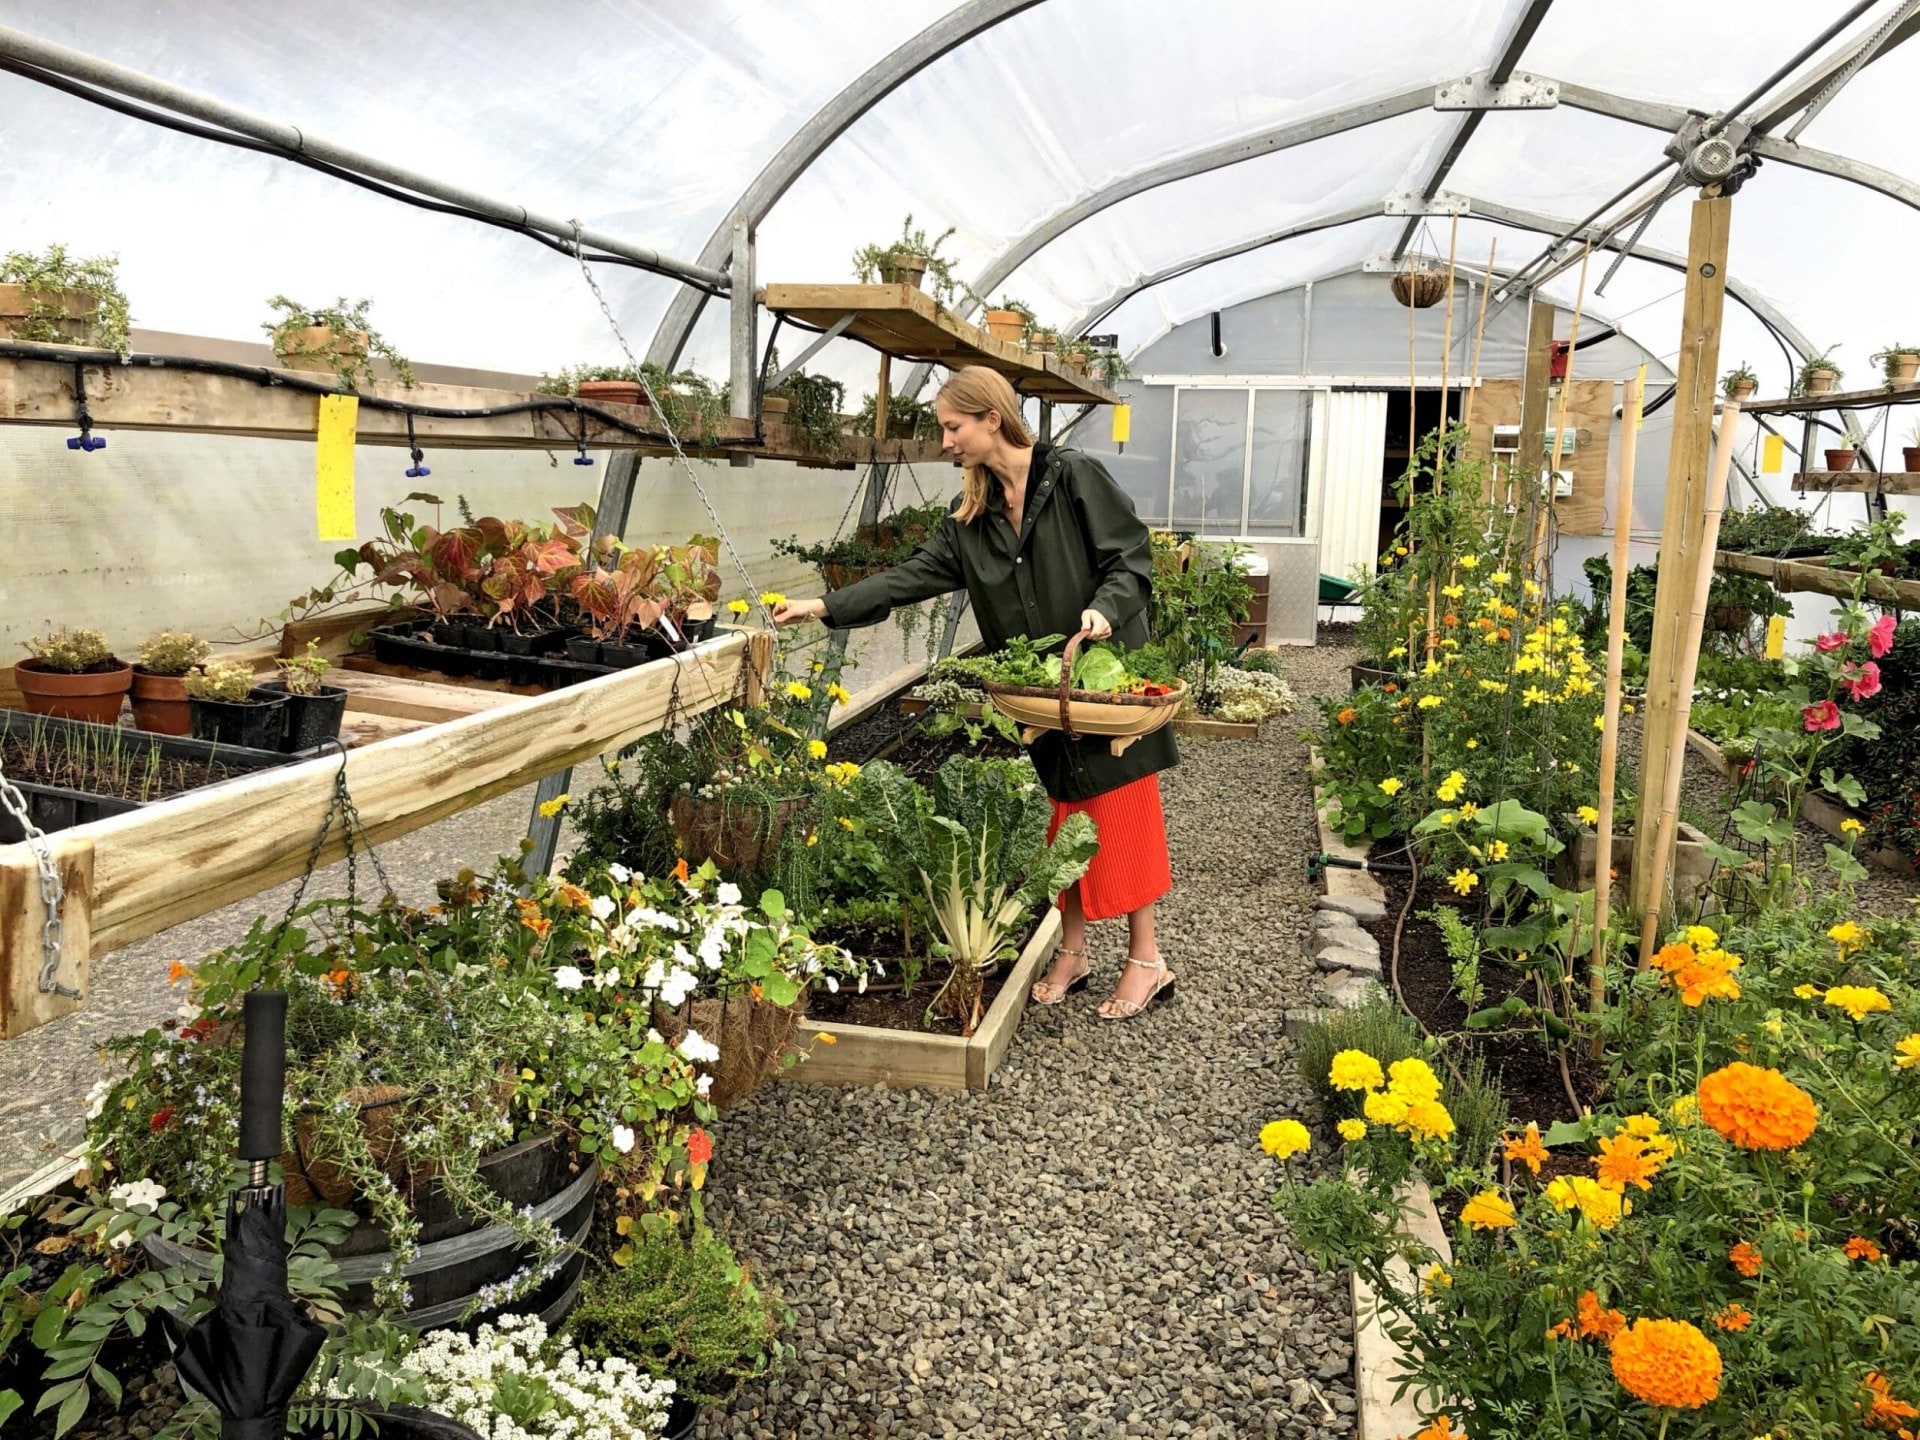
x=82 y=66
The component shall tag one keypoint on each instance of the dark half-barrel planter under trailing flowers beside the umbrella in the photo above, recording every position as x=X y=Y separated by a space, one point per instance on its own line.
x=460 y=1255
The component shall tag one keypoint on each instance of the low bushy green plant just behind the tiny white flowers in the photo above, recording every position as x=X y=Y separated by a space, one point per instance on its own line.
x=683 y=1308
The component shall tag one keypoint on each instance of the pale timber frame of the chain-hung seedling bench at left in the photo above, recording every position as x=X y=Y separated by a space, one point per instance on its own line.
x=137 y=875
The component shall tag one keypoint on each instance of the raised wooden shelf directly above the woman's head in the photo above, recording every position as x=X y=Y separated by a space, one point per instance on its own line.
x=907 y=324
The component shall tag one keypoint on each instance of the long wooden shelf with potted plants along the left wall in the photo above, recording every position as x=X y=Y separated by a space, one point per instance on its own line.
x=151 y=395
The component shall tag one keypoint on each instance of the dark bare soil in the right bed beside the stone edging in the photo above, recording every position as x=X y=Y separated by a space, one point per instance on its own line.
x=1524 y=1067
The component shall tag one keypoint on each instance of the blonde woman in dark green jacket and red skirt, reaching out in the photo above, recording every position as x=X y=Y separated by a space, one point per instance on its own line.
x=1047 y=544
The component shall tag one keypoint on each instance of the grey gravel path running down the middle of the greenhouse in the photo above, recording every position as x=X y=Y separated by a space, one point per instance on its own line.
x=1088 y=1247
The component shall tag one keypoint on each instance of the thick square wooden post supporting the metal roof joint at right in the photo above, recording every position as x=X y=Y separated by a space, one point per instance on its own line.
x=1681 y=521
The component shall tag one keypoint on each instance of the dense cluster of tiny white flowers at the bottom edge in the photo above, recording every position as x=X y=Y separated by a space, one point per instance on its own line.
x=592 y=1401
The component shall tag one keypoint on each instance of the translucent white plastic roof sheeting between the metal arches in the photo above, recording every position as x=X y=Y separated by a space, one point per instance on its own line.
x=652 y=118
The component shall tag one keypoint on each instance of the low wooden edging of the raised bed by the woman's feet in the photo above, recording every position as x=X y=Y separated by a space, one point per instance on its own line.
x=852 y=1053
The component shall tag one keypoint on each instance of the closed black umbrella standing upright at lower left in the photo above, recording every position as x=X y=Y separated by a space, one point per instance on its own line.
x=252 y=1351
